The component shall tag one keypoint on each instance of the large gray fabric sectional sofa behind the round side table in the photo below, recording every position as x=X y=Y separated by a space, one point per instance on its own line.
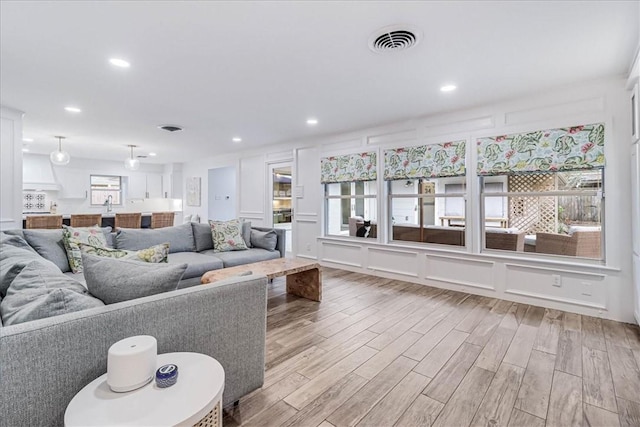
x=45 y=362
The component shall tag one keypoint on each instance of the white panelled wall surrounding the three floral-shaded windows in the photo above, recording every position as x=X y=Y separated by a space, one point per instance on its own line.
x=518 y=277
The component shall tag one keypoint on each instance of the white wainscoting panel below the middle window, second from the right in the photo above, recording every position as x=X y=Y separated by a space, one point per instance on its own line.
x=467 y=272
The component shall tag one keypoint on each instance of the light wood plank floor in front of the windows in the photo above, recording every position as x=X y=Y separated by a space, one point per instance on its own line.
x=380 y=352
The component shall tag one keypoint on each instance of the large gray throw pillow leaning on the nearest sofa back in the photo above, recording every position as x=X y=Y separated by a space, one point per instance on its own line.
x=113 y=280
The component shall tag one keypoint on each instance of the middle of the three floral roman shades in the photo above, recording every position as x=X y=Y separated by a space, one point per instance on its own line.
x=425 y=161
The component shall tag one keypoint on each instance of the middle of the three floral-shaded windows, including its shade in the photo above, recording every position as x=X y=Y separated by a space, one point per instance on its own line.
x=427 y=193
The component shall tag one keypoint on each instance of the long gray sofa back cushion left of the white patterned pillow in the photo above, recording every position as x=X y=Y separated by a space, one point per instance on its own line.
x=180 y=238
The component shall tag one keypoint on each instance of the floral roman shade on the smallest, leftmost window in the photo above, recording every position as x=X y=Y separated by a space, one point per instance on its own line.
x=349 y=168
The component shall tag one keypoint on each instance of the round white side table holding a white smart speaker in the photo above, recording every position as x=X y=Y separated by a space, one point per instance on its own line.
x=195 y=399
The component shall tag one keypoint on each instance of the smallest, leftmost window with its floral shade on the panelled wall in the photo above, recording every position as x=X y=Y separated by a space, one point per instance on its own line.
x=350 y=194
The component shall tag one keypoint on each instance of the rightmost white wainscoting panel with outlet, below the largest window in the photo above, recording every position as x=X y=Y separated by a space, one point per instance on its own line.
x=583 y=289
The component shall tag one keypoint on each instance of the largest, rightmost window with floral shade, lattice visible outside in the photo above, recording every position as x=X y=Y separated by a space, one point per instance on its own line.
x=552 y=190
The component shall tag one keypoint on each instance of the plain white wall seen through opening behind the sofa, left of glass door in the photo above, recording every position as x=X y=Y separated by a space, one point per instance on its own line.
x=222 y=193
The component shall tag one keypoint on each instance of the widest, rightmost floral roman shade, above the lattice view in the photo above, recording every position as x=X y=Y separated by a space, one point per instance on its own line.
x=564 y=149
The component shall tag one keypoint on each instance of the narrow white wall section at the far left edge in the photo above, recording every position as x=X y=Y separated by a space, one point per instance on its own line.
x=10 y=168
